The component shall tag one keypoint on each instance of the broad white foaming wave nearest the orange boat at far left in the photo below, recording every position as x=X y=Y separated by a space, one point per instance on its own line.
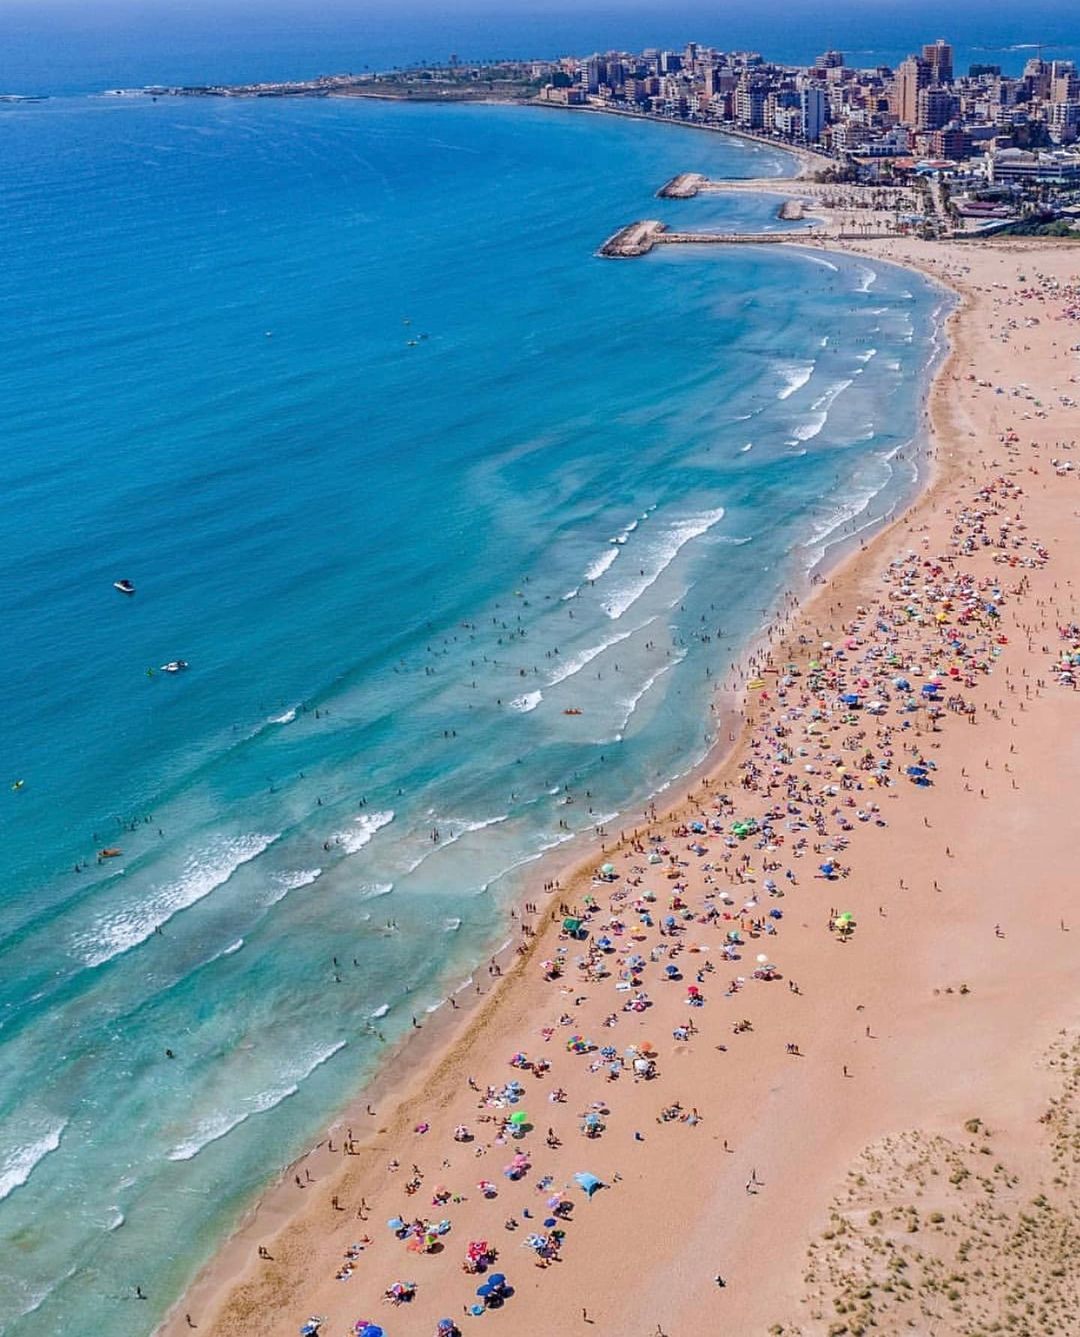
x=121 y=930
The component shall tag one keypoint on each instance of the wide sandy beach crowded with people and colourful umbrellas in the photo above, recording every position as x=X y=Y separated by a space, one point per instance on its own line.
x=859 y=1137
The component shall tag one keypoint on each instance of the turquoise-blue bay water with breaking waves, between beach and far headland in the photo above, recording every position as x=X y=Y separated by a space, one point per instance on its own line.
x=404 y=473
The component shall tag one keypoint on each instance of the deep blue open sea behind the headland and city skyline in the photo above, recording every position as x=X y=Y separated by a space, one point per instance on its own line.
x=62 y=47
